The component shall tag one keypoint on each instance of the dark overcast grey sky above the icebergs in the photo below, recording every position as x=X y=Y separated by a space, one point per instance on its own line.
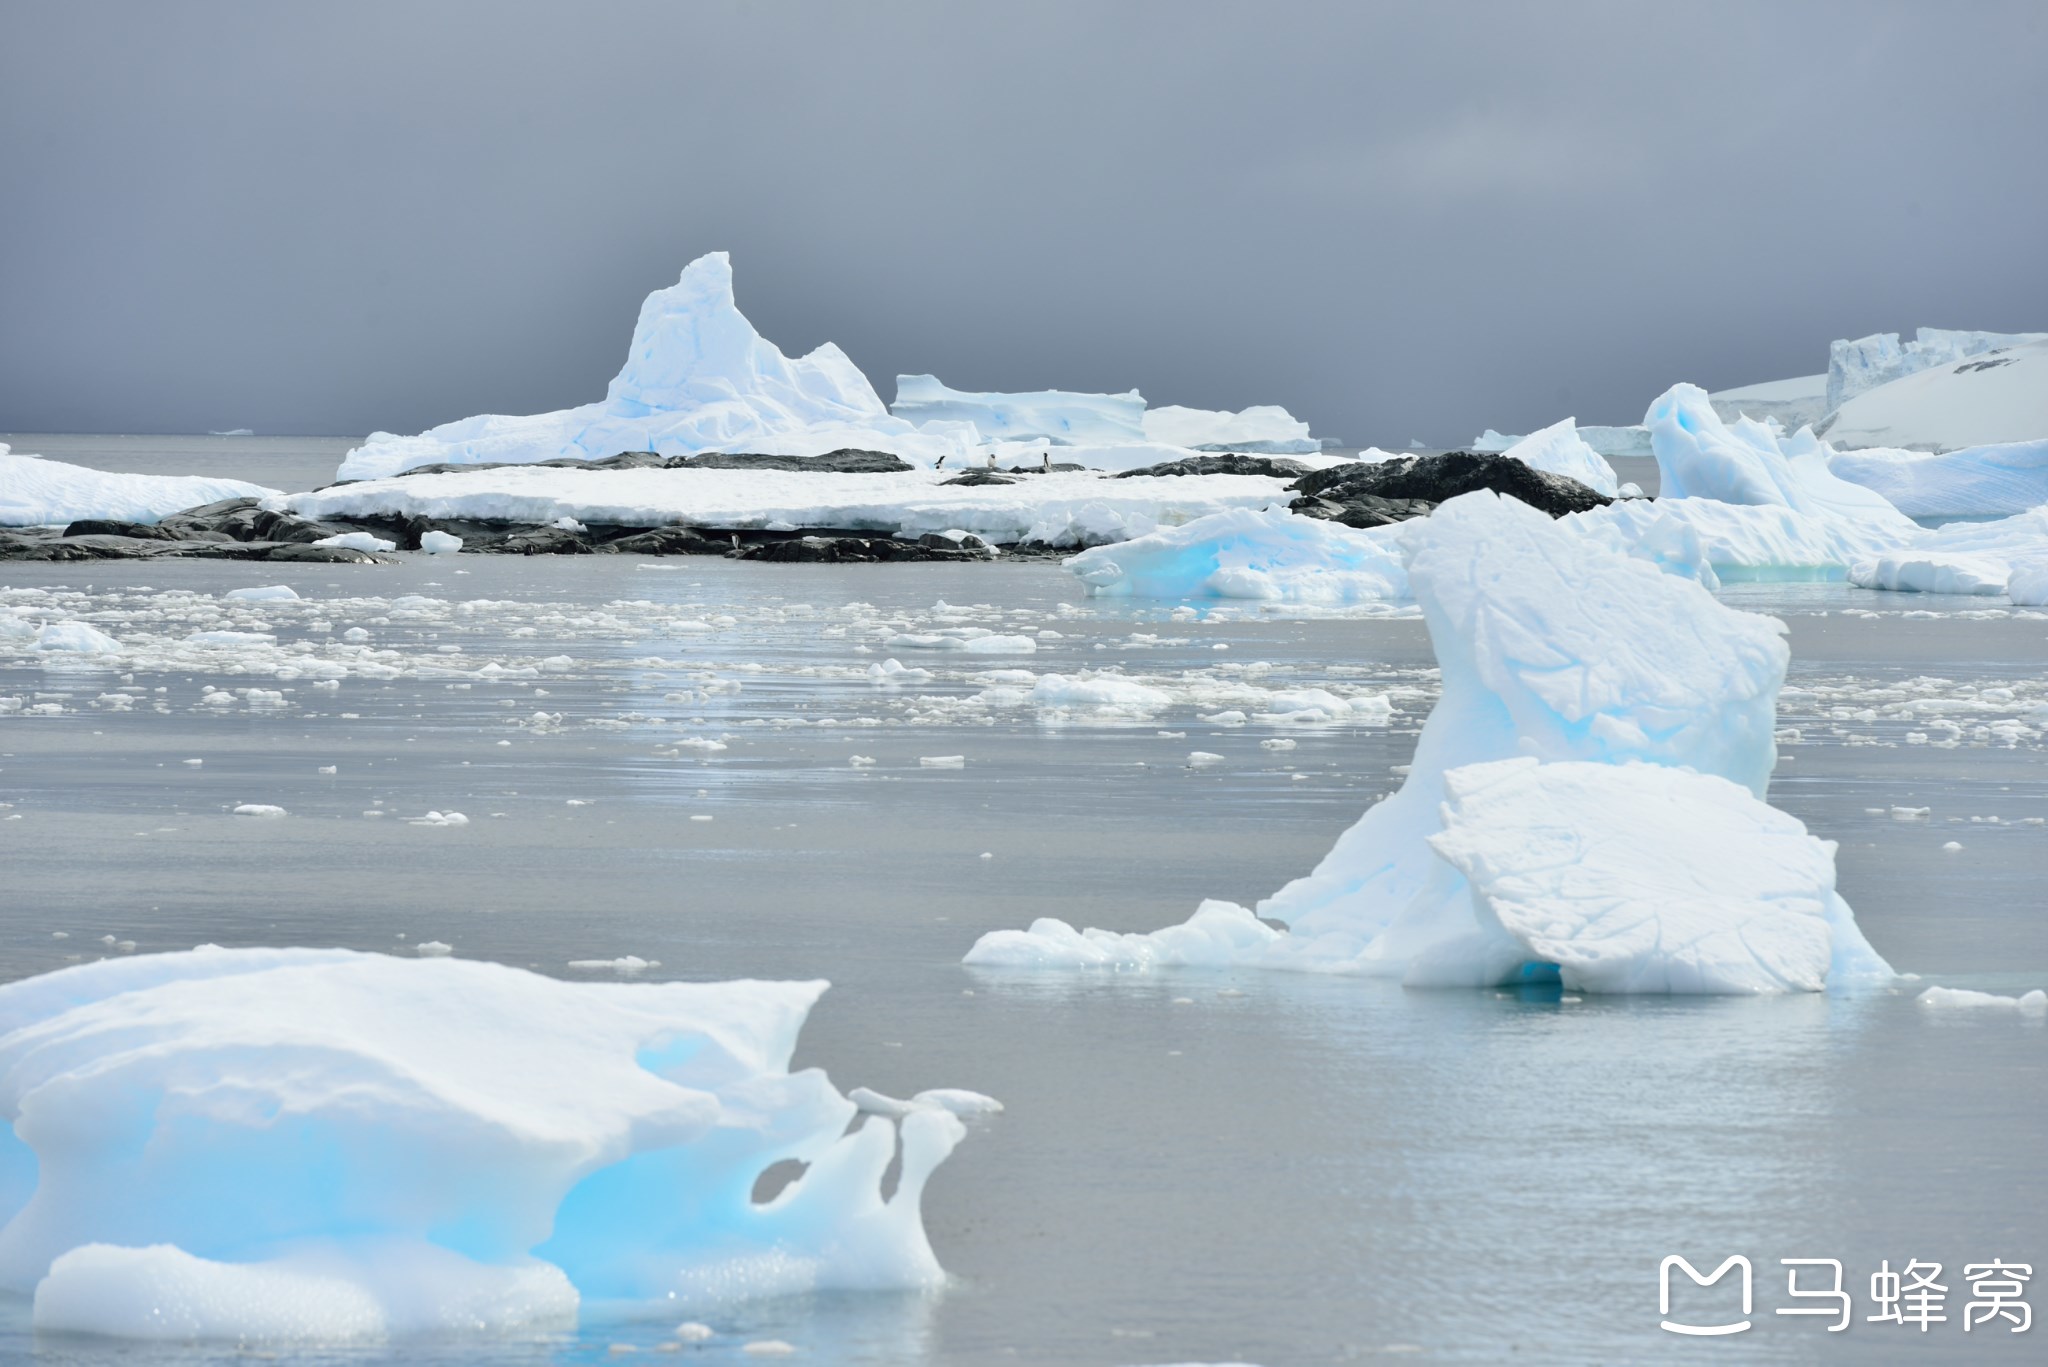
x=1400 y=220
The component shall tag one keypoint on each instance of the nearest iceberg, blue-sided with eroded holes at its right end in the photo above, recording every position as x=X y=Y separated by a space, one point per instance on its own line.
x=329 y=1145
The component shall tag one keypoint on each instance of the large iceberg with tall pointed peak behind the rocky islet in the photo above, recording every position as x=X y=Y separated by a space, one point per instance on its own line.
x=697 y=378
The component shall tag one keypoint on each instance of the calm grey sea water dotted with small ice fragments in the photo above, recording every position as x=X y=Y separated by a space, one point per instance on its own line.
x=1316 y=1171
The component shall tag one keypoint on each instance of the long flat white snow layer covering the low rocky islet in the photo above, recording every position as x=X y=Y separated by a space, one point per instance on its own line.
x=1060 y=509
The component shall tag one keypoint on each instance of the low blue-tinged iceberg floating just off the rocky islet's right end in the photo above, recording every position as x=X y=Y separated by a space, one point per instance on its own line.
x=1248 y=554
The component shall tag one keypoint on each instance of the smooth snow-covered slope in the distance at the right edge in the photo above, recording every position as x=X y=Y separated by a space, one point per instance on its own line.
x=1998 y=397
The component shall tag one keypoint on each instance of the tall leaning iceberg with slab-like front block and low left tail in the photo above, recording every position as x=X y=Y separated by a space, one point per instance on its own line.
x=1558 y=657
